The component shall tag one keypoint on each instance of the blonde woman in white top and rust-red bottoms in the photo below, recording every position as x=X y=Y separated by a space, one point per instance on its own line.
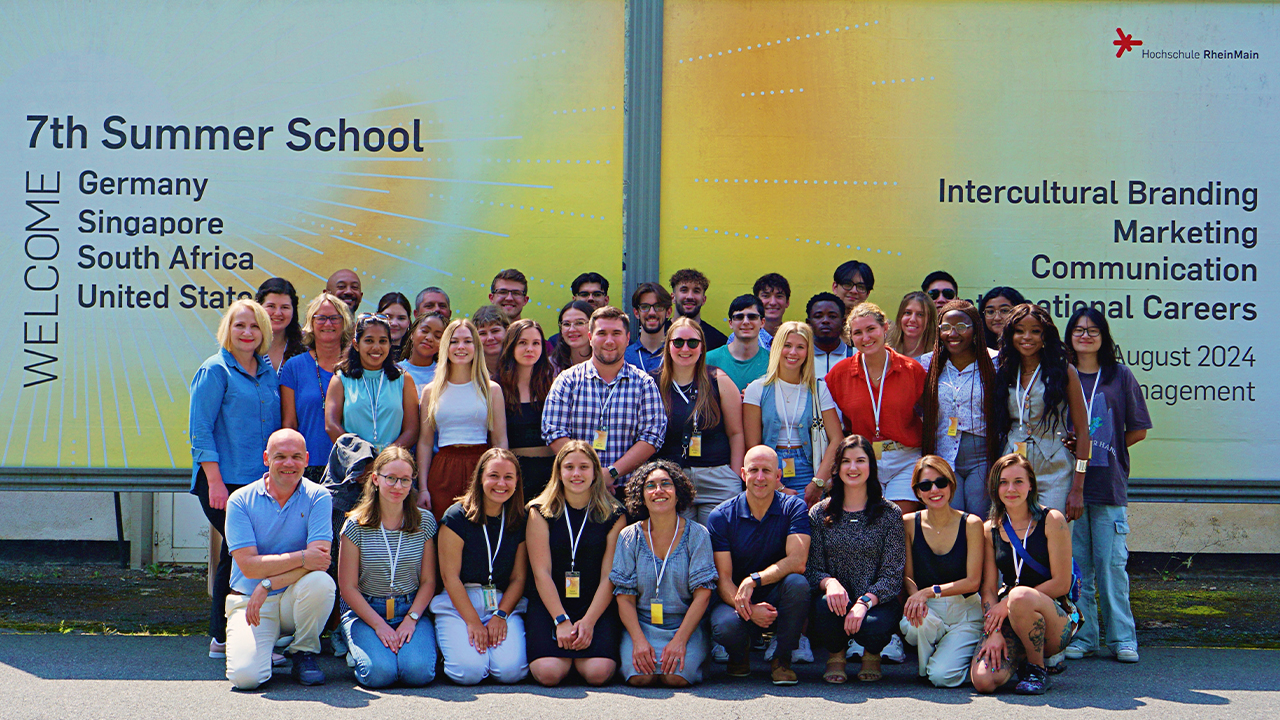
x=463 y=413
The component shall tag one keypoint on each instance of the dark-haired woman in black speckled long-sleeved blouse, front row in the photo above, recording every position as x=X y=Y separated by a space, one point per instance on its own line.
x=858 y=552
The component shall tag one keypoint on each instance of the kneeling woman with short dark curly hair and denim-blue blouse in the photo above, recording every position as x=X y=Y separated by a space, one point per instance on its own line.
x=664 y=577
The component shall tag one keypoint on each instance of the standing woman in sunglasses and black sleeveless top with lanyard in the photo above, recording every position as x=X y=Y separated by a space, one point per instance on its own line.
x=705 y=420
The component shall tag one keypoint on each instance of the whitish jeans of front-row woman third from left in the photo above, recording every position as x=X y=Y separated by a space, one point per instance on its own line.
x=508 y=663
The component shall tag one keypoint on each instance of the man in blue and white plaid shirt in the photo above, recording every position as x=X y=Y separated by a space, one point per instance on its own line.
x=607 y=403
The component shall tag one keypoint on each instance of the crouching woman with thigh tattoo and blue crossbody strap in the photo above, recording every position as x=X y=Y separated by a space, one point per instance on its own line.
x=1028 y=617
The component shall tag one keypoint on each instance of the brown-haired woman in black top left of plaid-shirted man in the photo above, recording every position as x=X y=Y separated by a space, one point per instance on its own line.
x=525 y=376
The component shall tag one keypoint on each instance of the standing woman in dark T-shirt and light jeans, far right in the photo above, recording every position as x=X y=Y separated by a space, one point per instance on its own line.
x=1118 y=420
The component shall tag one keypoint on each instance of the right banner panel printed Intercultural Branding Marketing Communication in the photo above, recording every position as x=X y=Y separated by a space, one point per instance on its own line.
x=1116 y=154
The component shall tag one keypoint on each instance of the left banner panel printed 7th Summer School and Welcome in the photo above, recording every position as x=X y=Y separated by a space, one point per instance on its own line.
x=161 y=160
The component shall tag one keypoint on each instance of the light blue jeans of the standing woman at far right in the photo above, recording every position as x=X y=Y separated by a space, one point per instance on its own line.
x=1100 y=546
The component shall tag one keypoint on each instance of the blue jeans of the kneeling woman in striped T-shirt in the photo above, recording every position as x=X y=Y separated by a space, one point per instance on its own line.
x=377 y=667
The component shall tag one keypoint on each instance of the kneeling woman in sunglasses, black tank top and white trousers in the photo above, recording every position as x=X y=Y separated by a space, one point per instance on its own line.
x=943 y=616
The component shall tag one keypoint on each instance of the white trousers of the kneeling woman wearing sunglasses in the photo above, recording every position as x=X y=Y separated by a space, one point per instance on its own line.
x=948 y=639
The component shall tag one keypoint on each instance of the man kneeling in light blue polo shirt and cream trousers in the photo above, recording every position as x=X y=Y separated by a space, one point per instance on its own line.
x=278 y=531
